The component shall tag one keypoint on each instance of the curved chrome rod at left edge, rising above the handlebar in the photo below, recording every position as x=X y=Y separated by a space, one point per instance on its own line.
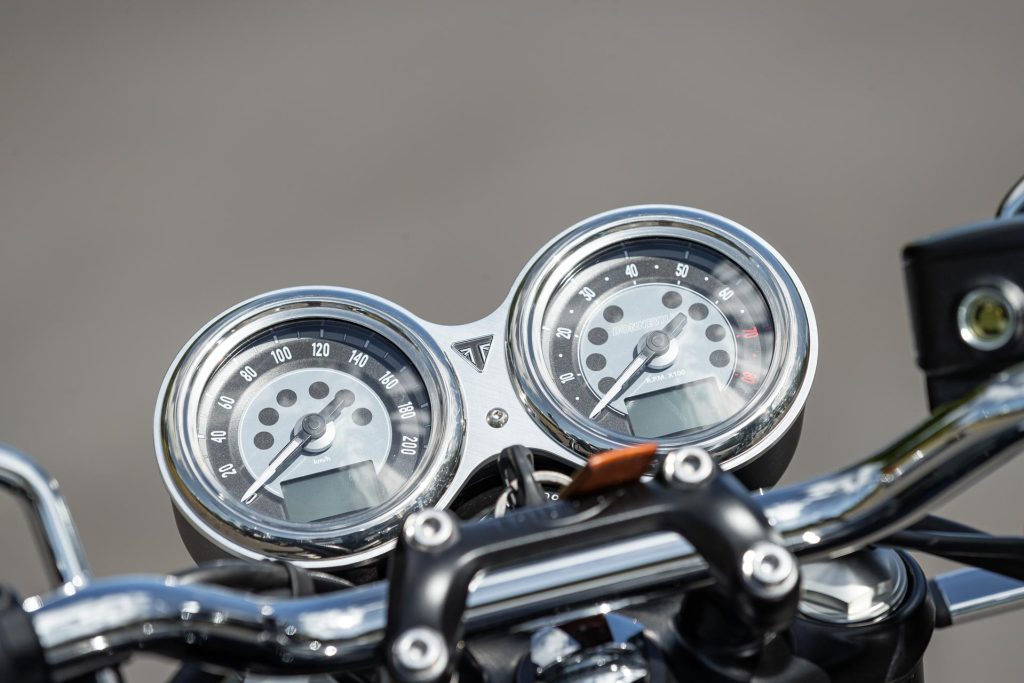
x=52 y=521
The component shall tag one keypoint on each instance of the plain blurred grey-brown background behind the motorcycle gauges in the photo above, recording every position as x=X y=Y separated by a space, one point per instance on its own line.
x=161 y=162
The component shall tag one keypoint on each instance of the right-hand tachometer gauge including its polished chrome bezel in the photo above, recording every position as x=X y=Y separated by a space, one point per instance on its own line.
x=663 y=324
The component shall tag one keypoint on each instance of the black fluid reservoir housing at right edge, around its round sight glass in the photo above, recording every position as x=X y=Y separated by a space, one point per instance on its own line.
x=940 y=272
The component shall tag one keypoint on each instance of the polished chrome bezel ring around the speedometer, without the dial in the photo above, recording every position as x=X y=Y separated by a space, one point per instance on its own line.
x=356 y=539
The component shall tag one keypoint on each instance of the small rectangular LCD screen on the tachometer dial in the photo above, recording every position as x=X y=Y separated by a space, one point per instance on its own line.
x=679 y=409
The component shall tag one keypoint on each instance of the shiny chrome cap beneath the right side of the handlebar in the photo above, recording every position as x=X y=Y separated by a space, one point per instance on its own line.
x=856 y=589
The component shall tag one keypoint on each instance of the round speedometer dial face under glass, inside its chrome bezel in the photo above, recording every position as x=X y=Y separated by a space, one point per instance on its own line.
x=314 y=420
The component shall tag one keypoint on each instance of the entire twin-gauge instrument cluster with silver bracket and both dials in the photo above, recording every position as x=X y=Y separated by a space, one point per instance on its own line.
x=308 y=423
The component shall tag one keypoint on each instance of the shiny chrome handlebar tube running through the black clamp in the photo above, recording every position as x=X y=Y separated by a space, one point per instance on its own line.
x=830 y=517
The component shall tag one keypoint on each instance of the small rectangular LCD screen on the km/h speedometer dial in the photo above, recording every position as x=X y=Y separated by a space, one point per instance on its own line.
x=332 y=493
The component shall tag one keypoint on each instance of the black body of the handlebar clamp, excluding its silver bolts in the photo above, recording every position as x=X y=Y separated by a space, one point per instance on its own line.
x=430 y=586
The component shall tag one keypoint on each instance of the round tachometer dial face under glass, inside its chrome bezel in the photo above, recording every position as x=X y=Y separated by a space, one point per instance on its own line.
x=658 y=337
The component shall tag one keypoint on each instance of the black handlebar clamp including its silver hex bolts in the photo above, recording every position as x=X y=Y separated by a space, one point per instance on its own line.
x=438 y=559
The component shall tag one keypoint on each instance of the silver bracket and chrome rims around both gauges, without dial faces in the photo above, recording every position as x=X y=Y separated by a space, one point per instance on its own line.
x=467 y=372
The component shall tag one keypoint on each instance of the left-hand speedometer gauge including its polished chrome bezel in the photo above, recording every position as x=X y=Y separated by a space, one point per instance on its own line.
x=306 y=424
